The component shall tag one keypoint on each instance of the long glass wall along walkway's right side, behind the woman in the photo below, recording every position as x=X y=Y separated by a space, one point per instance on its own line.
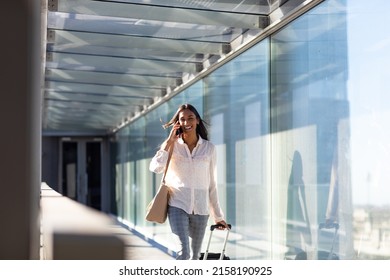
x=301 y=126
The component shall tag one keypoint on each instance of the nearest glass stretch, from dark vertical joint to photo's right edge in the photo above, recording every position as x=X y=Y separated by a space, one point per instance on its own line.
x=329 y=111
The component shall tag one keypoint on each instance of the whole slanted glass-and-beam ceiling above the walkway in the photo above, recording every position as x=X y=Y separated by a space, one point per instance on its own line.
x=108 y=61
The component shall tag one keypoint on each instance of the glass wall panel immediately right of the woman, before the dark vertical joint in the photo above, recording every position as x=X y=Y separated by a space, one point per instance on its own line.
x=237 y=105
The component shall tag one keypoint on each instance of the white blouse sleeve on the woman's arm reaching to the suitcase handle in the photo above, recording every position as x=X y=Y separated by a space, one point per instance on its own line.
x=215 y=208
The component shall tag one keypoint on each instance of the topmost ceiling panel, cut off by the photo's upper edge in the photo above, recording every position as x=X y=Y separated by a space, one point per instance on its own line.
x=193 y=13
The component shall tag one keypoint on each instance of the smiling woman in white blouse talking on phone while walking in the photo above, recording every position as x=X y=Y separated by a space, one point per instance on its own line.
x=191 y=175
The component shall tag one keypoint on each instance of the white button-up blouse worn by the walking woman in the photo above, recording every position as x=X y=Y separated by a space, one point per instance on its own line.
x=192 y=177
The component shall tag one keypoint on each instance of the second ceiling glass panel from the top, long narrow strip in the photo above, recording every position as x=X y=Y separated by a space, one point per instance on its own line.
x=140 y=27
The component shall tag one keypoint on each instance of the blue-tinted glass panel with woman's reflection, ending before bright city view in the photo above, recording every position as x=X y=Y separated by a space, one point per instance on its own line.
x=311 y=135
